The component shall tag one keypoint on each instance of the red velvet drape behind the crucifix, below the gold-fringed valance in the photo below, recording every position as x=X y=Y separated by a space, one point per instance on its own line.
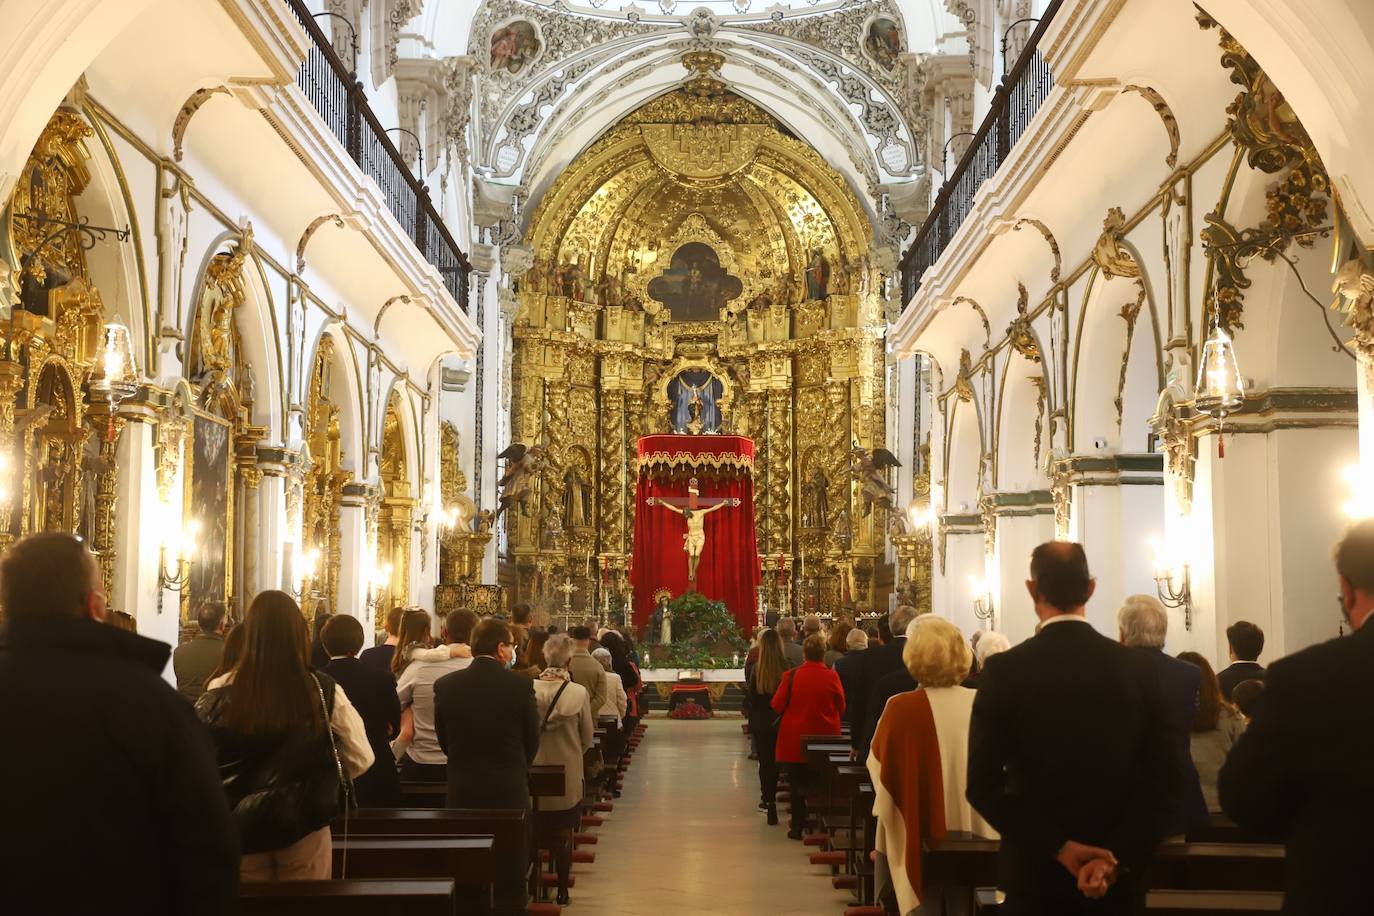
x=729 y=569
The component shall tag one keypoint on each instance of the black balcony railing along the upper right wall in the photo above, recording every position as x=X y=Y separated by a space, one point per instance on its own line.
x=1020 y=95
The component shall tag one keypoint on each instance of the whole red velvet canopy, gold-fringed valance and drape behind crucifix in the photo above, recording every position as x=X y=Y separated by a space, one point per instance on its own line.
x=729 y=571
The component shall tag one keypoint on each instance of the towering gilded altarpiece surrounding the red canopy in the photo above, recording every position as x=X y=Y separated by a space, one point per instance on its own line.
x=700 y=237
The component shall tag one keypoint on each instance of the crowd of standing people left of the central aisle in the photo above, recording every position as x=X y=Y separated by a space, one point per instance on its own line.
x=168 y=799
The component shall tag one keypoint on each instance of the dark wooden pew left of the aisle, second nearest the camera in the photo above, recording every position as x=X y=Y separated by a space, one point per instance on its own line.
x=469 y=862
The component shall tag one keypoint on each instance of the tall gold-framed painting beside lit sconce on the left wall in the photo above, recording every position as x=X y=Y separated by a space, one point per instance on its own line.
x=210 y=507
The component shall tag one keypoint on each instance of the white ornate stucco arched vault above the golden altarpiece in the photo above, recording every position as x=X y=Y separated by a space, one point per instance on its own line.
x=554 y=78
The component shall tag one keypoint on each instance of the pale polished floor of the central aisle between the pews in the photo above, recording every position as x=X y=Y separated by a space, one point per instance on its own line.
x=686 y=836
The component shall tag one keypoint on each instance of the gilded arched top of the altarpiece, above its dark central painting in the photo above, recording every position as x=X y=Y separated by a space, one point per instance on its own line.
x=703 y=165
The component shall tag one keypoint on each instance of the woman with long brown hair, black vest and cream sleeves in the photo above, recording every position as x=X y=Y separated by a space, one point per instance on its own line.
x=289 y=742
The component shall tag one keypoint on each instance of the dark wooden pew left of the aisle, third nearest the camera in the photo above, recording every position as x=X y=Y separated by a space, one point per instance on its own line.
x=508 y=827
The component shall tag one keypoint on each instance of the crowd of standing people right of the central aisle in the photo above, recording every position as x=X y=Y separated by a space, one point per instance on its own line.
x=1082 y=753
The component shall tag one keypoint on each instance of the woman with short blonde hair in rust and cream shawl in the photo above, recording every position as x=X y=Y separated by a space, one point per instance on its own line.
x=920 y=760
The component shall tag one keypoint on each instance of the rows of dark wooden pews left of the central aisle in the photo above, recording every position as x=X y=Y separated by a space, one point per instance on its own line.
x=429 y=860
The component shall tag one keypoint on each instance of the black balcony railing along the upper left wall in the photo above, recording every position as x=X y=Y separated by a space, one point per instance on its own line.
x=340 y=100
